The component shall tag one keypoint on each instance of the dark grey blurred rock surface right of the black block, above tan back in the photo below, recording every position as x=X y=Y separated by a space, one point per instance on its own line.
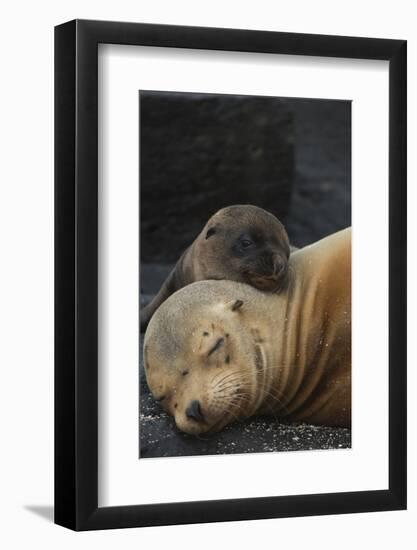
x=321 y=197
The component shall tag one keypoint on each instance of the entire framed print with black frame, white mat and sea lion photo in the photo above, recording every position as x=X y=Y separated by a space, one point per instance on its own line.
x=230 y=274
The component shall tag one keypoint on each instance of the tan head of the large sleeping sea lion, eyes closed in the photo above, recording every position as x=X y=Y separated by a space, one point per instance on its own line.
x=200 y=358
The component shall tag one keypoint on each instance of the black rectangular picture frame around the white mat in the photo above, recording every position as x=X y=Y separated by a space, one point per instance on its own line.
x=76 y=271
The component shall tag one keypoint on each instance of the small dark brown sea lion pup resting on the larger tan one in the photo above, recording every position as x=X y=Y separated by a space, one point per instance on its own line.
x=240 y=243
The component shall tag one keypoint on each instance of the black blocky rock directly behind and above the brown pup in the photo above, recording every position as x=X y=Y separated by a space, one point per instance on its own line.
x=201 y=152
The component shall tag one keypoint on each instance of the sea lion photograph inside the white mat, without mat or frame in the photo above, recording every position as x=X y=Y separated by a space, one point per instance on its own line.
x=245 y=274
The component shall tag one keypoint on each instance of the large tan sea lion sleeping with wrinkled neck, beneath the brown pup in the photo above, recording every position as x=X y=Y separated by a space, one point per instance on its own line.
x=217 y=351
